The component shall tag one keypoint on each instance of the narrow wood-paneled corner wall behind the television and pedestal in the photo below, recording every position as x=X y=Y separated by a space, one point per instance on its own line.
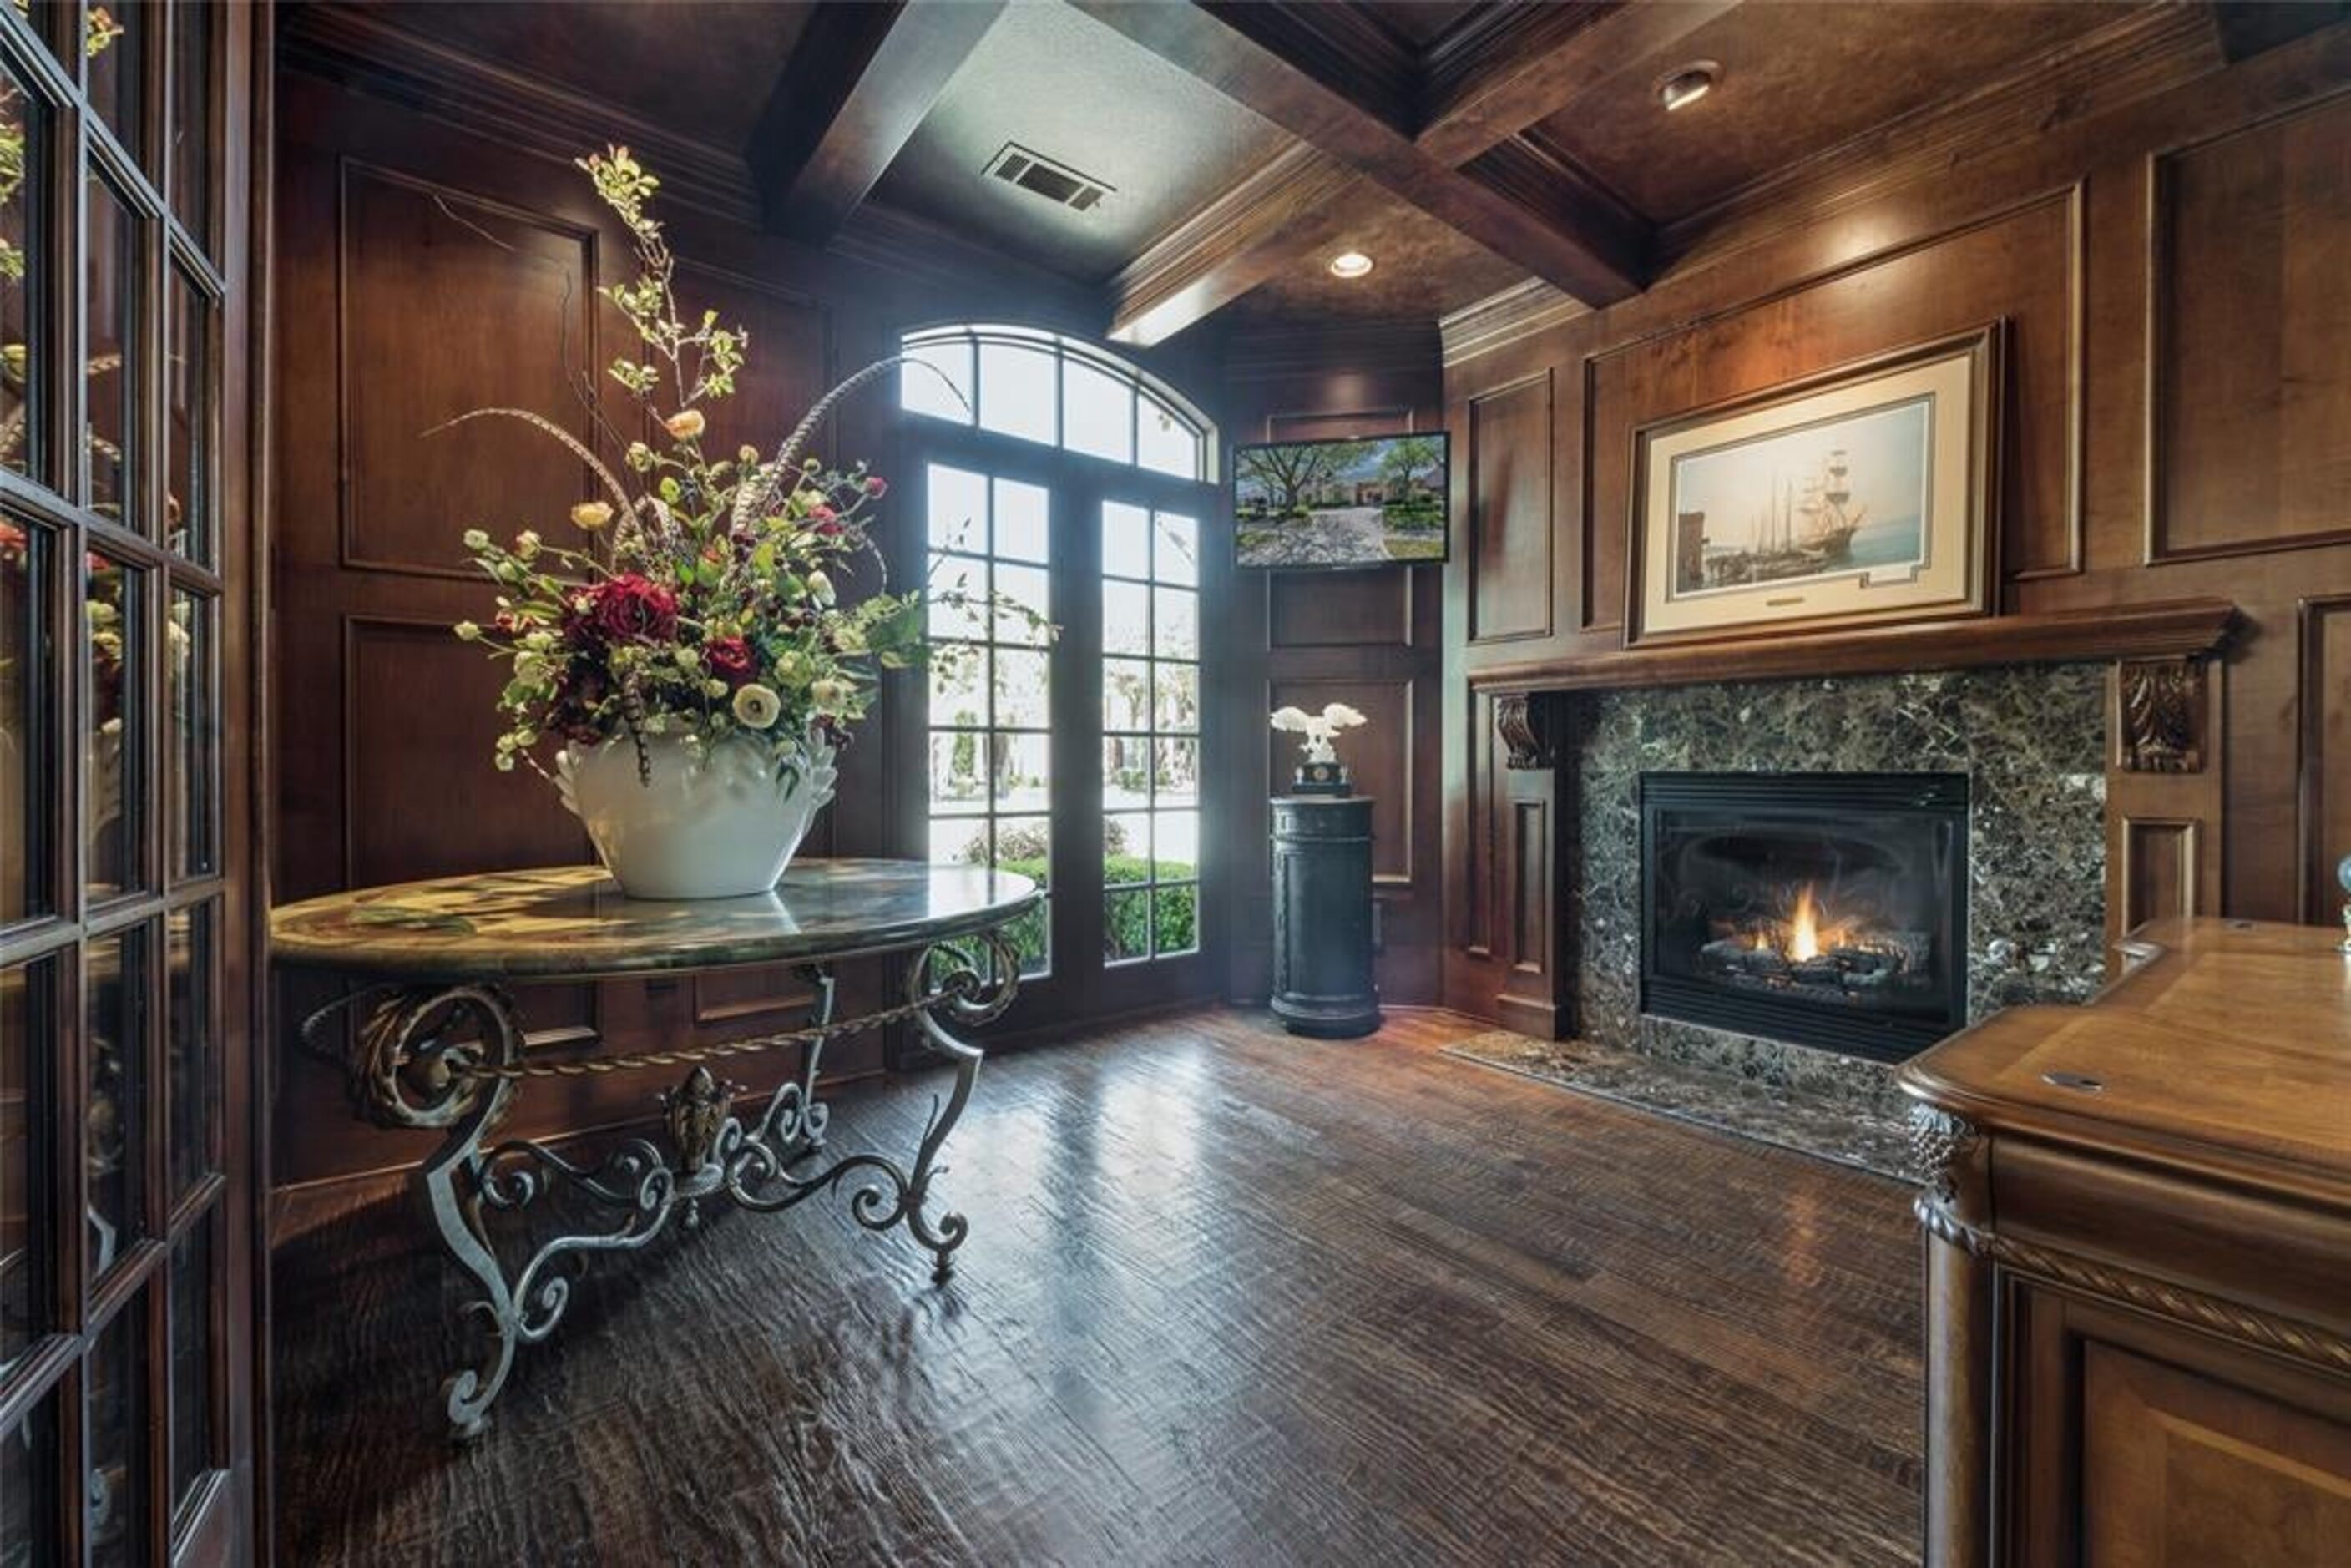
x=1311 y=638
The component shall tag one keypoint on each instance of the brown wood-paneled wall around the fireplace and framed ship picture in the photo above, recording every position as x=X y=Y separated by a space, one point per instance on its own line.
x=2178 y=424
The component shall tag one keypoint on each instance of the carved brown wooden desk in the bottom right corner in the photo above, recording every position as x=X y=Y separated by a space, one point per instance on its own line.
x=2141 y=1261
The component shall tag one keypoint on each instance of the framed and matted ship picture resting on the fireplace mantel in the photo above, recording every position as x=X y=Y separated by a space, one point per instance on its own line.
x=1856 y=497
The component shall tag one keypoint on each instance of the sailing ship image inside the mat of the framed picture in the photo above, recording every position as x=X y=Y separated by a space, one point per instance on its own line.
x=1826 y=500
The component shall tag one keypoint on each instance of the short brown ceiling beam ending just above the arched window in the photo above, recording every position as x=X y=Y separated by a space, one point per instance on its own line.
x=1292 y=208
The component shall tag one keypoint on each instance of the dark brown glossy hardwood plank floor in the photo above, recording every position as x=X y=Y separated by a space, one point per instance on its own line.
x=1228 y=1299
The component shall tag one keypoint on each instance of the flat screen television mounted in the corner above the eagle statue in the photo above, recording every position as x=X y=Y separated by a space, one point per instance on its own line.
x=1372 y=502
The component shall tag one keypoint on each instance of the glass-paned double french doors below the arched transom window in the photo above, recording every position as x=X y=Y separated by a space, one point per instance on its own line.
x=1071 y=758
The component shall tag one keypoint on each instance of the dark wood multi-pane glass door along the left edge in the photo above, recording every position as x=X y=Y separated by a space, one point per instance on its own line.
x=123 y=906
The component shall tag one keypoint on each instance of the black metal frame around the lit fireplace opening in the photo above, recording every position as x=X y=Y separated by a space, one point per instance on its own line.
x=1804 y=798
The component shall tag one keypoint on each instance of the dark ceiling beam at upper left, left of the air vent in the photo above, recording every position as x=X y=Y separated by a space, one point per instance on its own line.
x=859 y=81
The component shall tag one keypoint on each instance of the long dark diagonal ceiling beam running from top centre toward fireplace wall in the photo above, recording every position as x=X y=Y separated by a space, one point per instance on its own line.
x=1558 y=236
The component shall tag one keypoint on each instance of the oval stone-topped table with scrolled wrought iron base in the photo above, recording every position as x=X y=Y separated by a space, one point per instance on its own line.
x=438 y=1047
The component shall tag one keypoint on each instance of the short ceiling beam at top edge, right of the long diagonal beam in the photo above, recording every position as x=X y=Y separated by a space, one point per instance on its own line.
x=1525 y=76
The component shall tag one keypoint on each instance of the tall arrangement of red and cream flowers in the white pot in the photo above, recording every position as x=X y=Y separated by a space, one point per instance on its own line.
x=709 y=601
